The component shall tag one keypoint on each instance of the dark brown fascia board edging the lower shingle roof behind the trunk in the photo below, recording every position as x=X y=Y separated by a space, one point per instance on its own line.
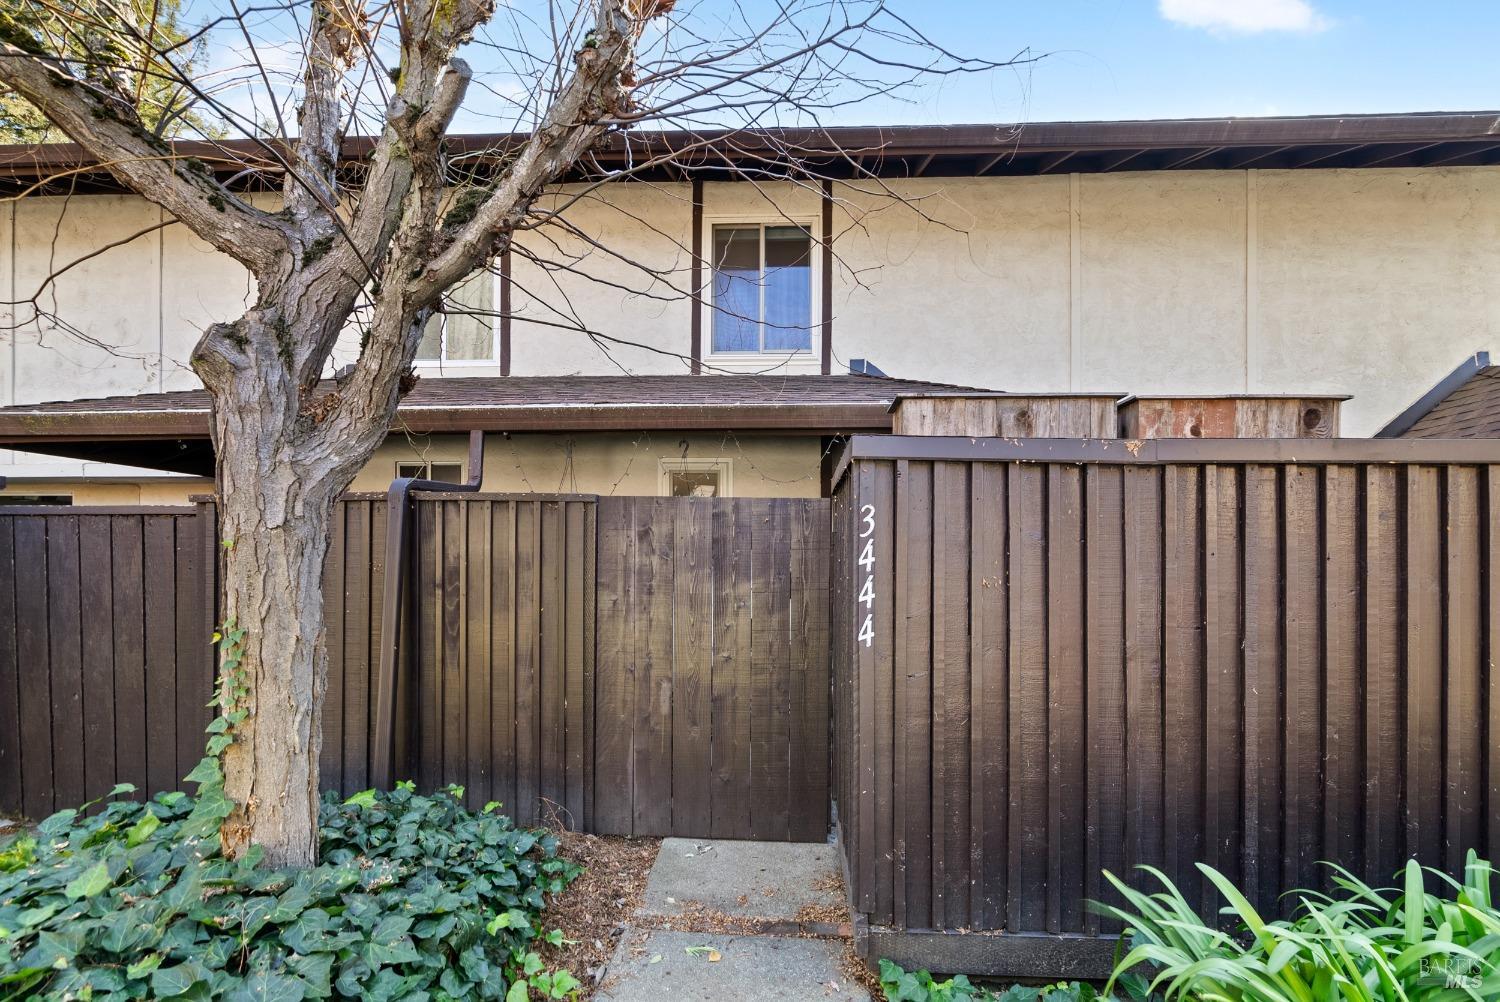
x=814 y=419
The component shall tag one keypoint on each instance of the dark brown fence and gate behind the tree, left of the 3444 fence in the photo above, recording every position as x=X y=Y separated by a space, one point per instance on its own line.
x=710 y=703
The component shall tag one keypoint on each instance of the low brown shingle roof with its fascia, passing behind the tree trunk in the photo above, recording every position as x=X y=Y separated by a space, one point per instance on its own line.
x=784 y=403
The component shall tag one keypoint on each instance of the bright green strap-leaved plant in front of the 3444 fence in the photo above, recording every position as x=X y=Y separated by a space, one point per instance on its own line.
x=1364 y=946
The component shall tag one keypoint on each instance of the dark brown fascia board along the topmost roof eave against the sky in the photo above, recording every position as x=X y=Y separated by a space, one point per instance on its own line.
x=976 y=140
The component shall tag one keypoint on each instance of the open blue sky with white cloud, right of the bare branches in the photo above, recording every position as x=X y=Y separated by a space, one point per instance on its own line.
x=1166 y=59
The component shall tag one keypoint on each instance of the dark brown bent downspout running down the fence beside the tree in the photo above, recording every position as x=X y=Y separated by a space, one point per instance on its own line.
x=398 y=512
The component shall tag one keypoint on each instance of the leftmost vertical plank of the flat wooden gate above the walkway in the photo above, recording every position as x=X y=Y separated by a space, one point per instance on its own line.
x=614 y=713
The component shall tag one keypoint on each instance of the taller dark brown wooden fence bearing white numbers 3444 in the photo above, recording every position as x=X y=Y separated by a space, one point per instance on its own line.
x=1054 y=659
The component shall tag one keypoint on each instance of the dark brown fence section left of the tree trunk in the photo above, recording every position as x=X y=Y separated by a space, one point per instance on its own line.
x=106 y=667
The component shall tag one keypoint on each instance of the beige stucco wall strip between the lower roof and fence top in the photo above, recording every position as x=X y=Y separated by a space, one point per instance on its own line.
x=613 y=464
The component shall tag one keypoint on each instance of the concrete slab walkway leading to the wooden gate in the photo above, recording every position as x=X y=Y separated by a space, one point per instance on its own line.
x=736 y=920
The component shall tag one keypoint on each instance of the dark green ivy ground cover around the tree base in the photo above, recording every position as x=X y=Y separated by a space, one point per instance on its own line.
x=415 y=898
